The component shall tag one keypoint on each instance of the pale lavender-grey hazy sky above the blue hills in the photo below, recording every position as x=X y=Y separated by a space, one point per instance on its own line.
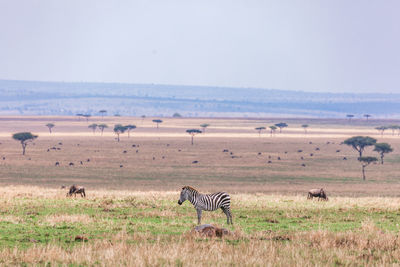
x=330 y=46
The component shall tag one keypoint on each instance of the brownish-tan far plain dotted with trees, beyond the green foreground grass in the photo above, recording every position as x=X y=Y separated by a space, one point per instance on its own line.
x=163 y=160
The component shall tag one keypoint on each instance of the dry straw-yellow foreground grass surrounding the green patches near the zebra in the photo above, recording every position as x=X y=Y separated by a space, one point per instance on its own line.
x=367 y=245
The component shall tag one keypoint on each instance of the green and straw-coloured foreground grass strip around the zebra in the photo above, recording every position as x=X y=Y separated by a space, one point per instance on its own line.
x=149 y=228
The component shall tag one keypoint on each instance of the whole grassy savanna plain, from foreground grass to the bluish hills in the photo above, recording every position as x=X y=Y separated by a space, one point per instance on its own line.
x=130 y=215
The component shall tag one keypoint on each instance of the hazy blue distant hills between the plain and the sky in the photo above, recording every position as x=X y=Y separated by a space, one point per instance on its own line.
x=59 y=98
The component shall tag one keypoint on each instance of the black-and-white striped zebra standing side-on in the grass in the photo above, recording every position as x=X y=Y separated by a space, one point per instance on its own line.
x=208 y=202
